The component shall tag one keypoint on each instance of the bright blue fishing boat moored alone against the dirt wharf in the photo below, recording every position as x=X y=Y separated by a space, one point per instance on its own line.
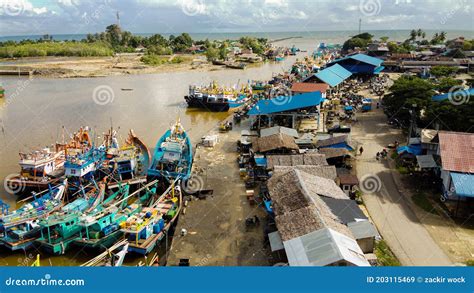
x=173 y=155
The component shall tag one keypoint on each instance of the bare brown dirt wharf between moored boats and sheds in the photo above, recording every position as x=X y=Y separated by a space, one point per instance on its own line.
x=215 y=232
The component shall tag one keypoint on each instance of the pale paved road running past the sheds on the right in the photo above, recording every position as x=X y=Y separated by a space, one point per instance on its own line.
x=397 y=223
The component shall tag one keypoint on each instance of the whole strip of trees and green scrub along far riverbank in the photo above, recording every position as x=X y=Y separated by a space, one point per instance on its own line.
x=115 y=40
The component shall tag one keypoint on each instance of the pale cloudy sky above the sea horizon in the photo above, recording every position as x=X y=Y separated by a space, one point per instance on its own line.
x=38 y=17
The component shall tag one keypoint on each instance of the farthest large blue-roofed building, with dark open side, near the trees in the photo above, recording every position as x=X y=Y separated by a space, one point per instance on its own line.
x=360 y=64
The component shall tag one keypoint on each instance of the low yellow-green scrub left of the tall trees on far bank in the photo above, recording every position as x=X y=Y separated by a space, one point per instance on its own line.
x=56 y=49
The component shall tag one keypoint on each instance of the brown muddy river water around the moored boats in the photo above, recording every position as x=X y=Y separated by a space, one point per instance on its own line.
x=35 y=110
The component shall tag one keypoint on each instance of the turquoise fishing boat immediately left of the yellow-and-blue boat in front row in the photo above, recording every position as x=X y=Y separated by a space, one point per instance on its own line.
x=102 y=229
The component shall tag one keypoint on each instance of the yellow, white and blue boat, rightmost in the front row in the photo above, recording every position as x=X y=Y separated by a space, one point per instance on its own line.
x=147 y=228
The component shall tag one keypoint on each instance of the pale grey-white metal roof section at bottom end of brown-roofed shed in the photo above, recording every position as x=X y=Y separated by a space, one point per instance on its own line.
x=323 y=247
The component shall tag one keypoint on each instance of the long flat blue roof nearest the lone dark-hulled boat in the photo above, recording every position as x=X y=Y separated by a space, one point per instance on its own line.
x=282 y=104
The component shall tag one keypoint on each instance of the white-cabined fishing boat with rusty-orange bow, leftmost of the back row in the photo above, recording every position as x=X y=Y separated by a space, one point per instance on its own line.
x=42 y=168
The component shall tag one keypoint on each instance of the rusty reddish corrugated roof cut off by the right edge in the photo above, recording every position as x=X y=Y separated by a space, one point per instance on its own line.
x=457 y=151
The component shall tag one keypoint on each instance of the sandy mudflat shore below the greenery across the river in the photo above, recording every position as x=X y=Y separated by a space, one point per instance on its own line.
x=69 y=67
